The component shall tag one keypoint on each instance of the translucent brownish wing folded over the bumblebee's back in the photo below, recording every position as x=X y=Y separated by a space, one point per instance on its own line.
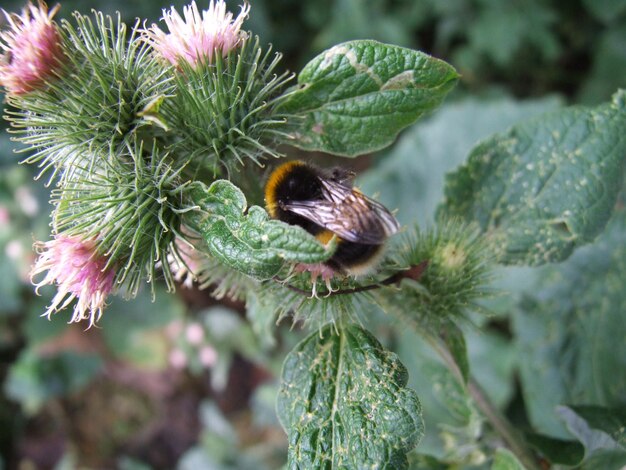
x=348 y=213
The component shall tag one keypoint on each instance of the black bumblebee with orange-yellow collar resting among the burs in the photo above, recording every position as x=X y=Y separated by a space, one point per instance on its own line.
x=325 y=204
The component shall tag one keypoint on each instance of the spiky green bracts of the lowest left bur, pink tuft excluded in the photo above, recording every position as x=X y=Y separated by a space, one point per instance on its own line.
x=132 y=204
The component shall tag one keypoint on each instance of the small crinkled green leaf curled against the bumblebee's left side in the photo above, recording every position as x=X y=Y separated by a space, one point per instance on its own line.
x=245 y=238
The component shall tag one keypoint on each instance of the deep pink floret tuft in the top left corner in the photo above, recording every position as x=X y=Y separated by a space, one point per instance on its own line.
x=31 y=49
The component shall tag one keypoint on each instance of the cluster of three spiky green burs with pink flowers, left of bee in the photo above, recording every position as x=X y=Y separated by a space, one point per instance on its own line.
x=122 y=130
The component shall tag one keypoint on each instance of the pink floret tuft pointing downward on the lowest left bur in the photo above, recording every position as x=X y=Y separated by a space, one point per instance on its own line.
x=79 y=273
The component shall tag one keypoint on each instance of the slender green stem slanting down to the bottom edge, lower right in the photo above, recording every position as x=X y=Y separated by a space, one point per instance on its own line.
x=500 y=423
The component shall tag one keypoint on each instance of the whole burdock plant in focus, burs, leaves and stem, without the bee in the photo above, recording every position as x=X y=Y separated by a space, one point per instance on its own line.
x=156 y=138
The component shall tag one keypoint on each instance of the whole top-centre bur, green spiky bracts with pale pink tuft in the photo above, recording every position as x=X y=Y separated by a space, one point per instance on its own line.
x=226 y=90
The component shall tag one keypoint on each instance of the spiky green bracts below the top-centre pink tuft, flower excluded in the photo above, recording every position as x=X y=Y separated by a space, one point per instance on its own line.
x=225 y=113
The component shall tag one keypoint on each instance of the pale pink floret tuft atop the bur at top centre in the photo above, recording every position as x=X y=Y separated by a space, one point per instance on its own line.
x=197 y=37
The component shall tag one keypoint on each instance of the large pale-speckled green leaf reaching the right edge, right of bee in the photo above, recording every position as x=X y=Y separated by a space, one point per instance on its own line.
x=546 y=186
